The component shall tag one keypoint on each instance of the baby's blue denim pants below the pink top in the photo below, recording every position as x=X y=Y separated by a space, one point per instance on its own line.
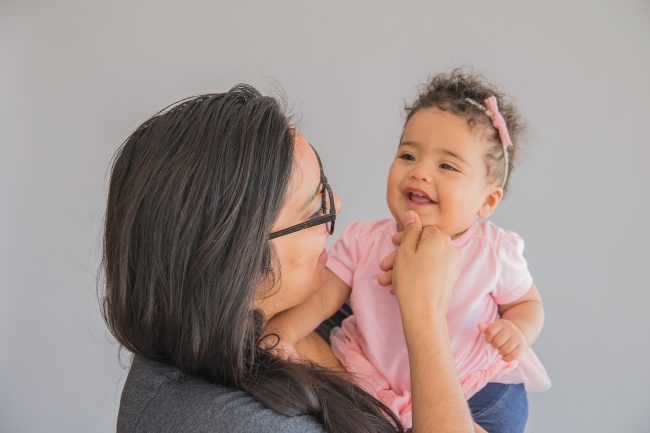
x=500 y=408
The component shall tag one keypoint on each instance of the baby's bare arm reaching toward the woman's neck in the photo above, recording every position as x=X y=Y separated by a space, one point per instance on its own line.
x=296 y=323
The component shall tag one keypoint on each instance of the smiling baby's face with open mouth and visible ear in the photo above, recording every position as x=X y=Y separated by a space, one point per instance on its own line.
x=440 y=173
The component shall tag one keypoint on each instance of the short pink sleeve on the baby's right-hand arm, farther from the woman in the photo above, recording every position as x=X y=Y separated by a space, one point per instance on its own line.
x=514 y=279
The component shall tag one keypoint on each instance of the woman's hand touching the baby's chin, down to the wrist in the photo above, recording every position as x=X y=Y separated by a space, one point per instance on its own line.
x=425 y=267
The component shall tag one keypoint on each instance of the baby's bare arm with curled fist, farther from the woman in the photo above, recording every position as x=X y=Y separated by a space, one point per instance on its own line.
x=520 y=324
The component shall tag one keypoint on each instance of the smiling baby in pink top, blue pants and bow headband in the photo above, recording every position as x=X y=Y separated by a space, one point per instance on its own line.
x=452 y=167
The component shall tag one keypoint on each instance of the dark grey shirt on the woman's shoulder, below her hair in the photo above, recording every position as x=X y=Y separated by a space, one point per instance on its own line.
x=157 y=397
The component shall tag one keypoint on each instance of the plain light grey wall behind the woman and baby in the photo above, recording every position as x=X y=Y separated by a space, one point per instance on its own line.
x=77 y=76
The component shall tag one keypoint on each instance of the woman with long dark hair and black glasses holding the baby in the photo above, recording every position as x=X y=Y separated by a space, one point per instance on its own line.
x=217 y=217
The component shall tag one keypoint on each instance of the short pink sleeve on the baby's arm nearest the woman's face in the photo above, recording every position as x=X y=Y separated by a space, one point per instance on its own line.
x=344 y=255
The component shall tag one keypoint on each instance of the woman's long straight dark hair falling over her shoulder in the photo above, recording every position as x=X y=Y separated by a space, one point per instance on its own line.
x=193 y=195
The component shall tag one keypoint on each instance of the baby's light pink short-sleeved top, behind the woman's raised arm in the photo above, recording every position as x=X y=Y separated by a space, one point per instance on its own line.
x=371 y=345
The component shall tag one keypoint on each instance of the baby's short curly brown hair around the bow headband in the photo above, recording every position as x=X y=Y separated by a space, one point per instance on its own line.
x=447 y=92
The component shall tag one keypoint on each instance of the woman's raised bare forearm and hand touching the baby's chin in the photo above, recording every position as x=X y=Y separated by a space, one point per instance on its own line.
x=424 y=272
